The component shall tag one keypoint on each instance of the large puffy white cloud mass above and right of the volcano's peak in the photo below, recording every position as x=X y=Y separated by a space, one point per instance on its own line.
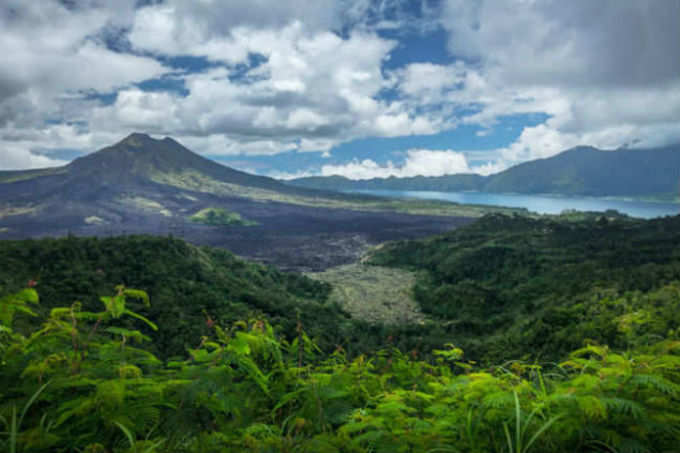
x=314 y=90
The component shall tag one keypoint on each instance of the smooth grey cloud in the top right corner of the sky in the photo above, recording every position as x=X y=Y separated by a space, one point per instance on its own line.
x=577 y=43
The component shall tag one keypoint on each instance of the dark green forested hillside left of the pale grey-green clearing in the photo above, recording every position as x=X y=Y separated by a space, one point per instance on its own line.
x=188 y=285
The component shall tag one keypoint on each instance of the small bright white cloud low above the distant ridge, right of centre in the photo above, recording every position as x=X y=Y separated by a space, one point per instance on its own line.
x=418 y=162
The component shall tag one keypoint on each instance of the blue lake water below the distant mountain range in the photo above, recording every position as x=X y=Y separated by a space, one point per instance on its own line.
x=542 y=204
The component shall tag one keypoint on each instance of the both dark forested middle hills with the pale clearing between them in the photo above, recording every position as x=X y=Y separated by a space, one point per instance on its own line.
x=501 y=287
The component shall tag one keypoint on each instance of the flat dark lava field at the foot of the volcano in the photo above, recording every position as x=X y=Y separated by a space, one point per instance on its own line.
x=292 y=237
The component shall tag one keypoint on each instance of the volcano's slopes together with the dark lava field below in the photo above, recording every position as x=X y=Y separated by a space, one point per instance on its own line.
x=132 y=187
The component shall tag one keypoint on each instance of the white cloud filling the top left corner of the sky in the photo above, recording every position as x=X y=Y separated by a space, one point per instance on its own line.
x=51 y=49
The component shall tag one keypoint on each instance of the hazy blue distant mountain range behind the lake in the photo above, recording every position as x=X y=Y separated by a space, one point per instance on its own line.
x=586 y=171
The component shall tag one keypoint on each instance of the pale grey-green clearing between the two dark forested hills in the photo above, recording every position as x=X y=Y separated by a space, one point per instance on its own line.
x=373 y=293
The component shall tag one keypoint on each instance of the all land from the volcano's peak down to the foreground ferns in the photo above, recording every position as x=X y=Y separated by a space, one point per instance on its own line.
x=144 y=277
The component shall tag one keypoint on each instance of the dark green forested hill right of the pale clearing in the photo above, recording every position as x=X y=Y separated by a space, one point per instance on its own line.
x=518 y=287
